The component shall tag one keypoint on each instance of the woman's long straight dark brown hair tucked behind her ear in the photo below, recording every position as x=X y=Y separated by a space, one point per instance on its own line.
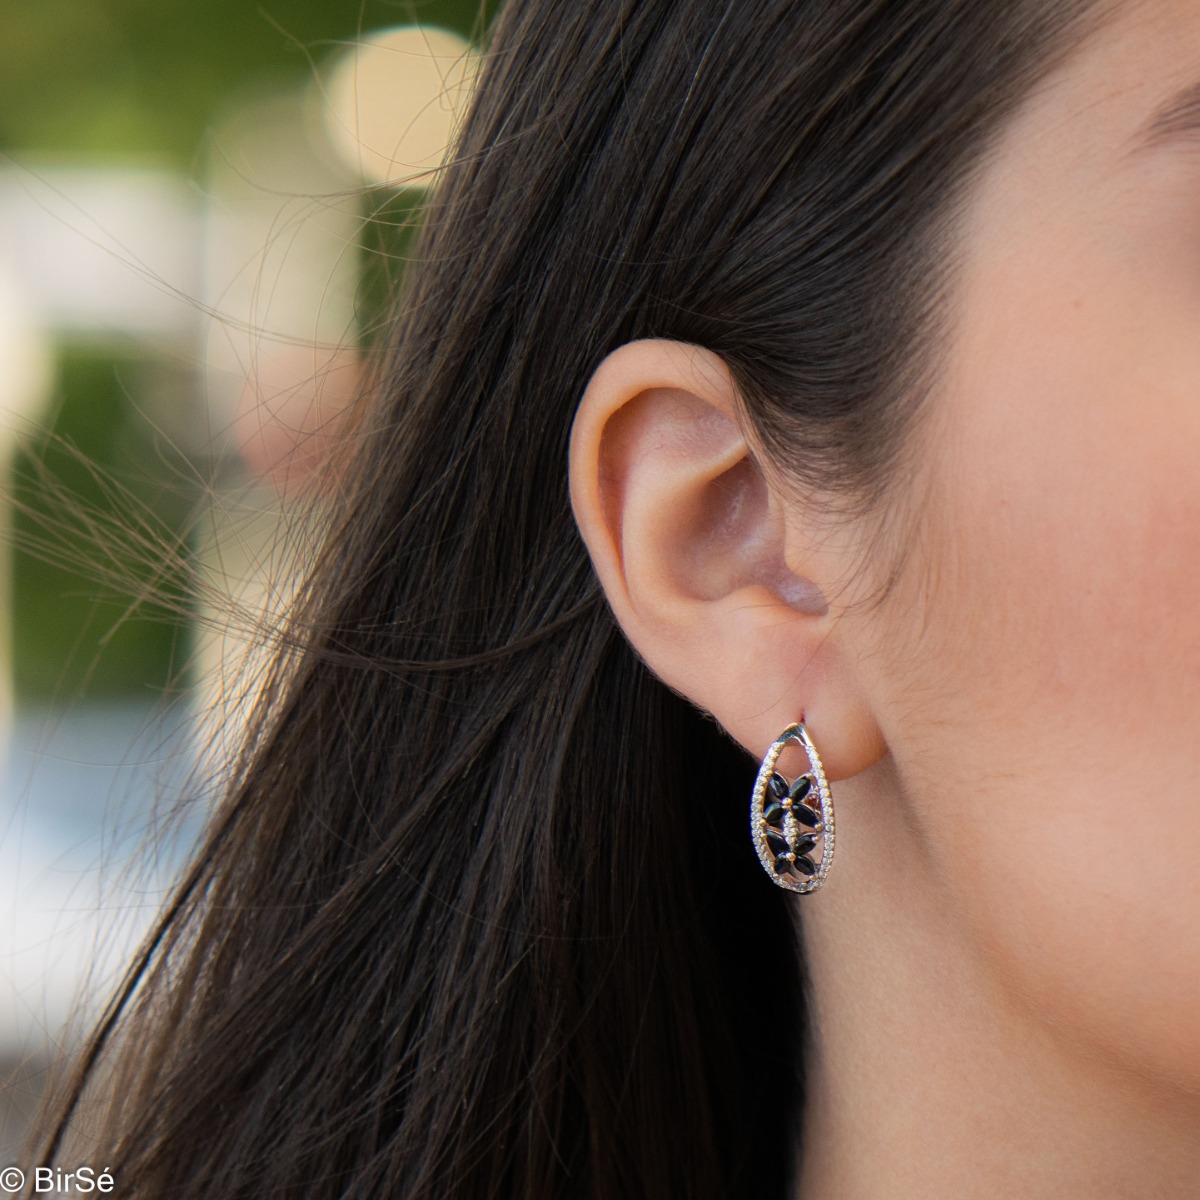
x=479 y=915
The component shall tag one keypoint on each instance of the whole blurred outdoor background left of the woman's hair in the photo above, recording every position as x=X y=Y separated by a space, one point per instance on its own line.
x=201 y=219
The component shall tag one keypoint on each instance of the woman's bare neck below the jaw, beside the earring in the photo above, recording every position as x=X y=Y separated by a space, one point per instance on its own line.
x=927 y=1078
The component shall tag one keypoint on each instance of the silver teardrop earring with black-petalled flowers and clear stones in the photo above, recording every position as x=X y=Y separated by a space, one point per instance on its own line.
x=788 y=820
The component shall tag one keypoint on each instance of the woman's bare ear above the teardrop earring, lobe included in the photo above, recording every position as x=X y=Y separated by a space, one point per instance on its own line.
x=689 y=541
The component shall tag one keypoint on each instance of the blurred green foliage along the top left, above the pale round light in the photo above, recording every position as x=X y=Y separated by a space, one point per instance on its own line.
x=115 y=79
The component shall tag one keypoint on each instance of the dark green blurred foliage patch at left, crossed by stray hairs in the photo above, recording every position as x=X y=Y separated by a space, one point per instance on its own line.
x=100 y=499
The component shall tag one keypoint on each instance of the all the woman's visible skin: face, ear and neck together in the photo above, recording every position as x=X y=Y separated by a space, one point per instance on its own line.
x=1005 y=961
